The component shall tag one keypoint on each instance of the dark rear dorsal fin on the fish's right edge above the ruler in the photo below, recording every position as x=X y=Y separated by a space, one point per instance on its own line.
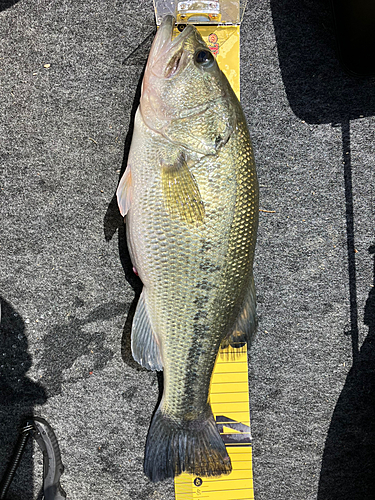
x=246 y=324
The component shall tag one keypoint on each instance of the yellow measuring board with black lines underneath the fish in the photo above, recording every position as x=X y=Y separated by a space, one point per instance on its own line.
x=229 y=389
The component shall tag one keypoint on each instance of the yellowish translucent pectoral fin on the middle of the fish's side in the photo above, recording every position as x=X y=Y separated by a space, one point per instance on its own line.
x=181 y=192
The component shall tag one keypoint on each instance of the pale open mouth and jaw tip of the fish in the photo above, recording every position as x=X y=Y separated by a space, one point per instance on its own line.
x=167 y=56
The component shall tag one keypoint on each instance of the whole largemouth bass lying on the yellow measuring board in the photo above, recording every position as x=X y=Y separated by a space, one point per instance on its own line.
x=189 y=196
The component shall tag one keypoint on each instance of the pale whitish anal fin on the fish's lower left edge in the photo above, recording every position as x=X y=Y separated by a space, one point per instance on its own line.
x=145 y=347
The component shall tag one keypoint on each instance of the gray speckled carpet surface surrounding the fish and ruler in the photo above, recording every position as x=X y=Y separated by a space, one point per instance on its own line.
x=69 y=77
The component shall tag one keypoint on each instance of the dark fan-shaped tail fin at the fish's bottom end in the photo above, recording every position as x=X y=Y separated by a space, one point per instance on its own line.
x=175 y=447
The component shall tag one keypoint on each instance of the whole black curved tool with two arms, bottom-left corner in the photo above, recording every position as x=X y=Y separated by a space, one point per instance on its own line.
x=52 y=465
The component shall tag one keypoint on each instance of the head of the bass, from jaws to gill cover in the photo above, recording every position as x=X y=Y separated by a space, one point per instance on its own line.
x=185 y=96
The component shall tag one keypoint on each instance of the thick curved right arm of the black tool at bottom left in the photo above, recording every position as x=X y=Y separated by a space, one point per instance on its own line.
x=52 y=464
